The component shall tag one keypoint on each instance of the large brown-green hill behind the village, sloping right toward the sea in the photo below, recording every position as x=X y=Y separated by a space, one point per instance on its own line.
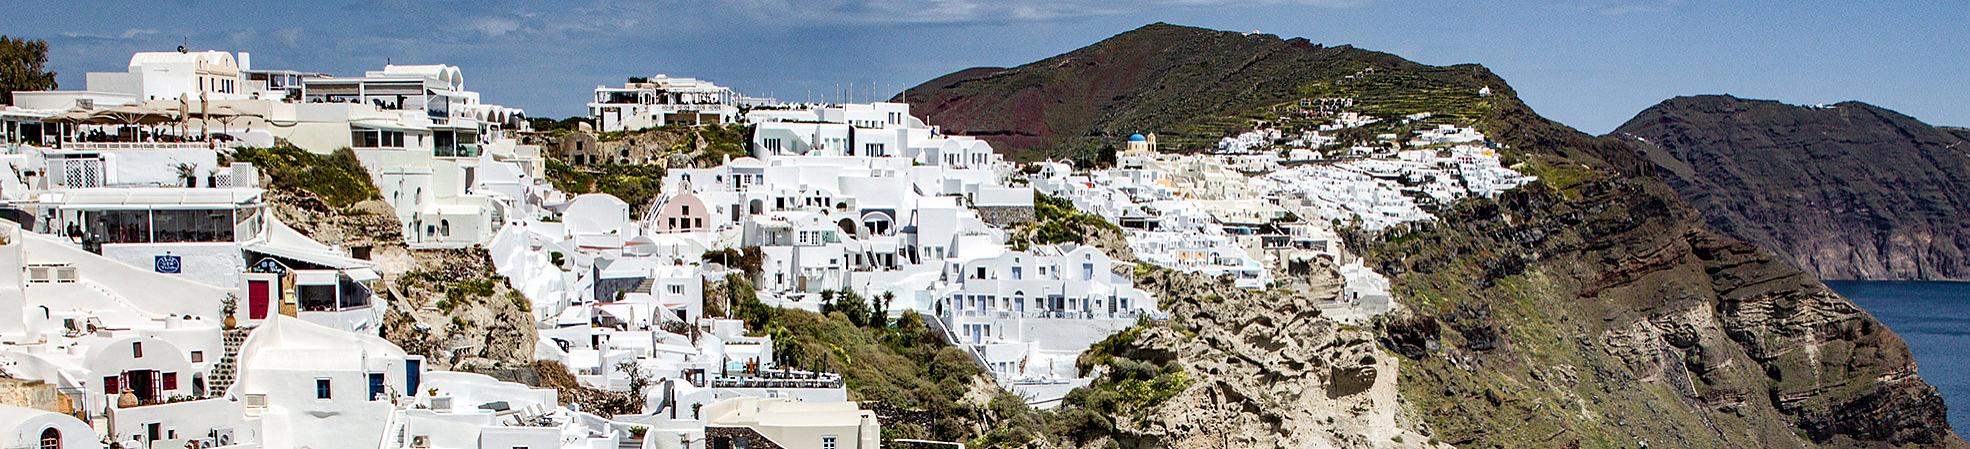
x=1589 y=310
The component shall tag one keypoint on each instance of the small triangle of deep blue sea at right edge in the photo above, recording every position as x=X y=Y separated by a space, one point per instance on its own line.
x=1936 y=320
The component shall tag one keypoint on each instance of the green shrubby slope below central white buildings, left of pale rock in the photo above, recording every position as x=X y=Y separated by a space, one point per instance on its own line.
x=905 y=365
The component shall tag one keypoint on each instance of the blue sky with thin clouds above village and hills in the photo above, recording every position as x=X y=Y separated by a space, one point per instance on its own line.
x=1591 y=64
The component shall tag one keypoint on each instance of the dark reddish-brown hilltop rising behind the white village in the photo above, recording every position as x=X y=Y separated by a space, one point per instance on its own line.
x=1155 y=80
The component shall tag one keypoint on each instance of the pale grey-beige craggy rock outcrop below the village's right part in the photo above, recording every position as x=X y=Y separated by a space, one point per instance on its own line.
x=1266 y=369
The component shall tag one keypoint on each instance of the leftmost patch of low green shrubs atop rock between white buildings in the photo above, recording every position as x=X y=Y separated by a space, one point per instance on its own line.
x=338 y=178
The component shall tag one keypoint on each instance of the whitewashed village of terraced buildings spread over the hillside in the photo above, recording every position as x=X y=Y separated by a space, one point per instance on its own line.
x=155 y=298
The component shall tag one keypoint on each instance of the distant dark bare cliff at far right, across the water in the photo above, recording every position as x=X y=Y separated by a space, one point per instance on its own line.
x=1847 y=192
